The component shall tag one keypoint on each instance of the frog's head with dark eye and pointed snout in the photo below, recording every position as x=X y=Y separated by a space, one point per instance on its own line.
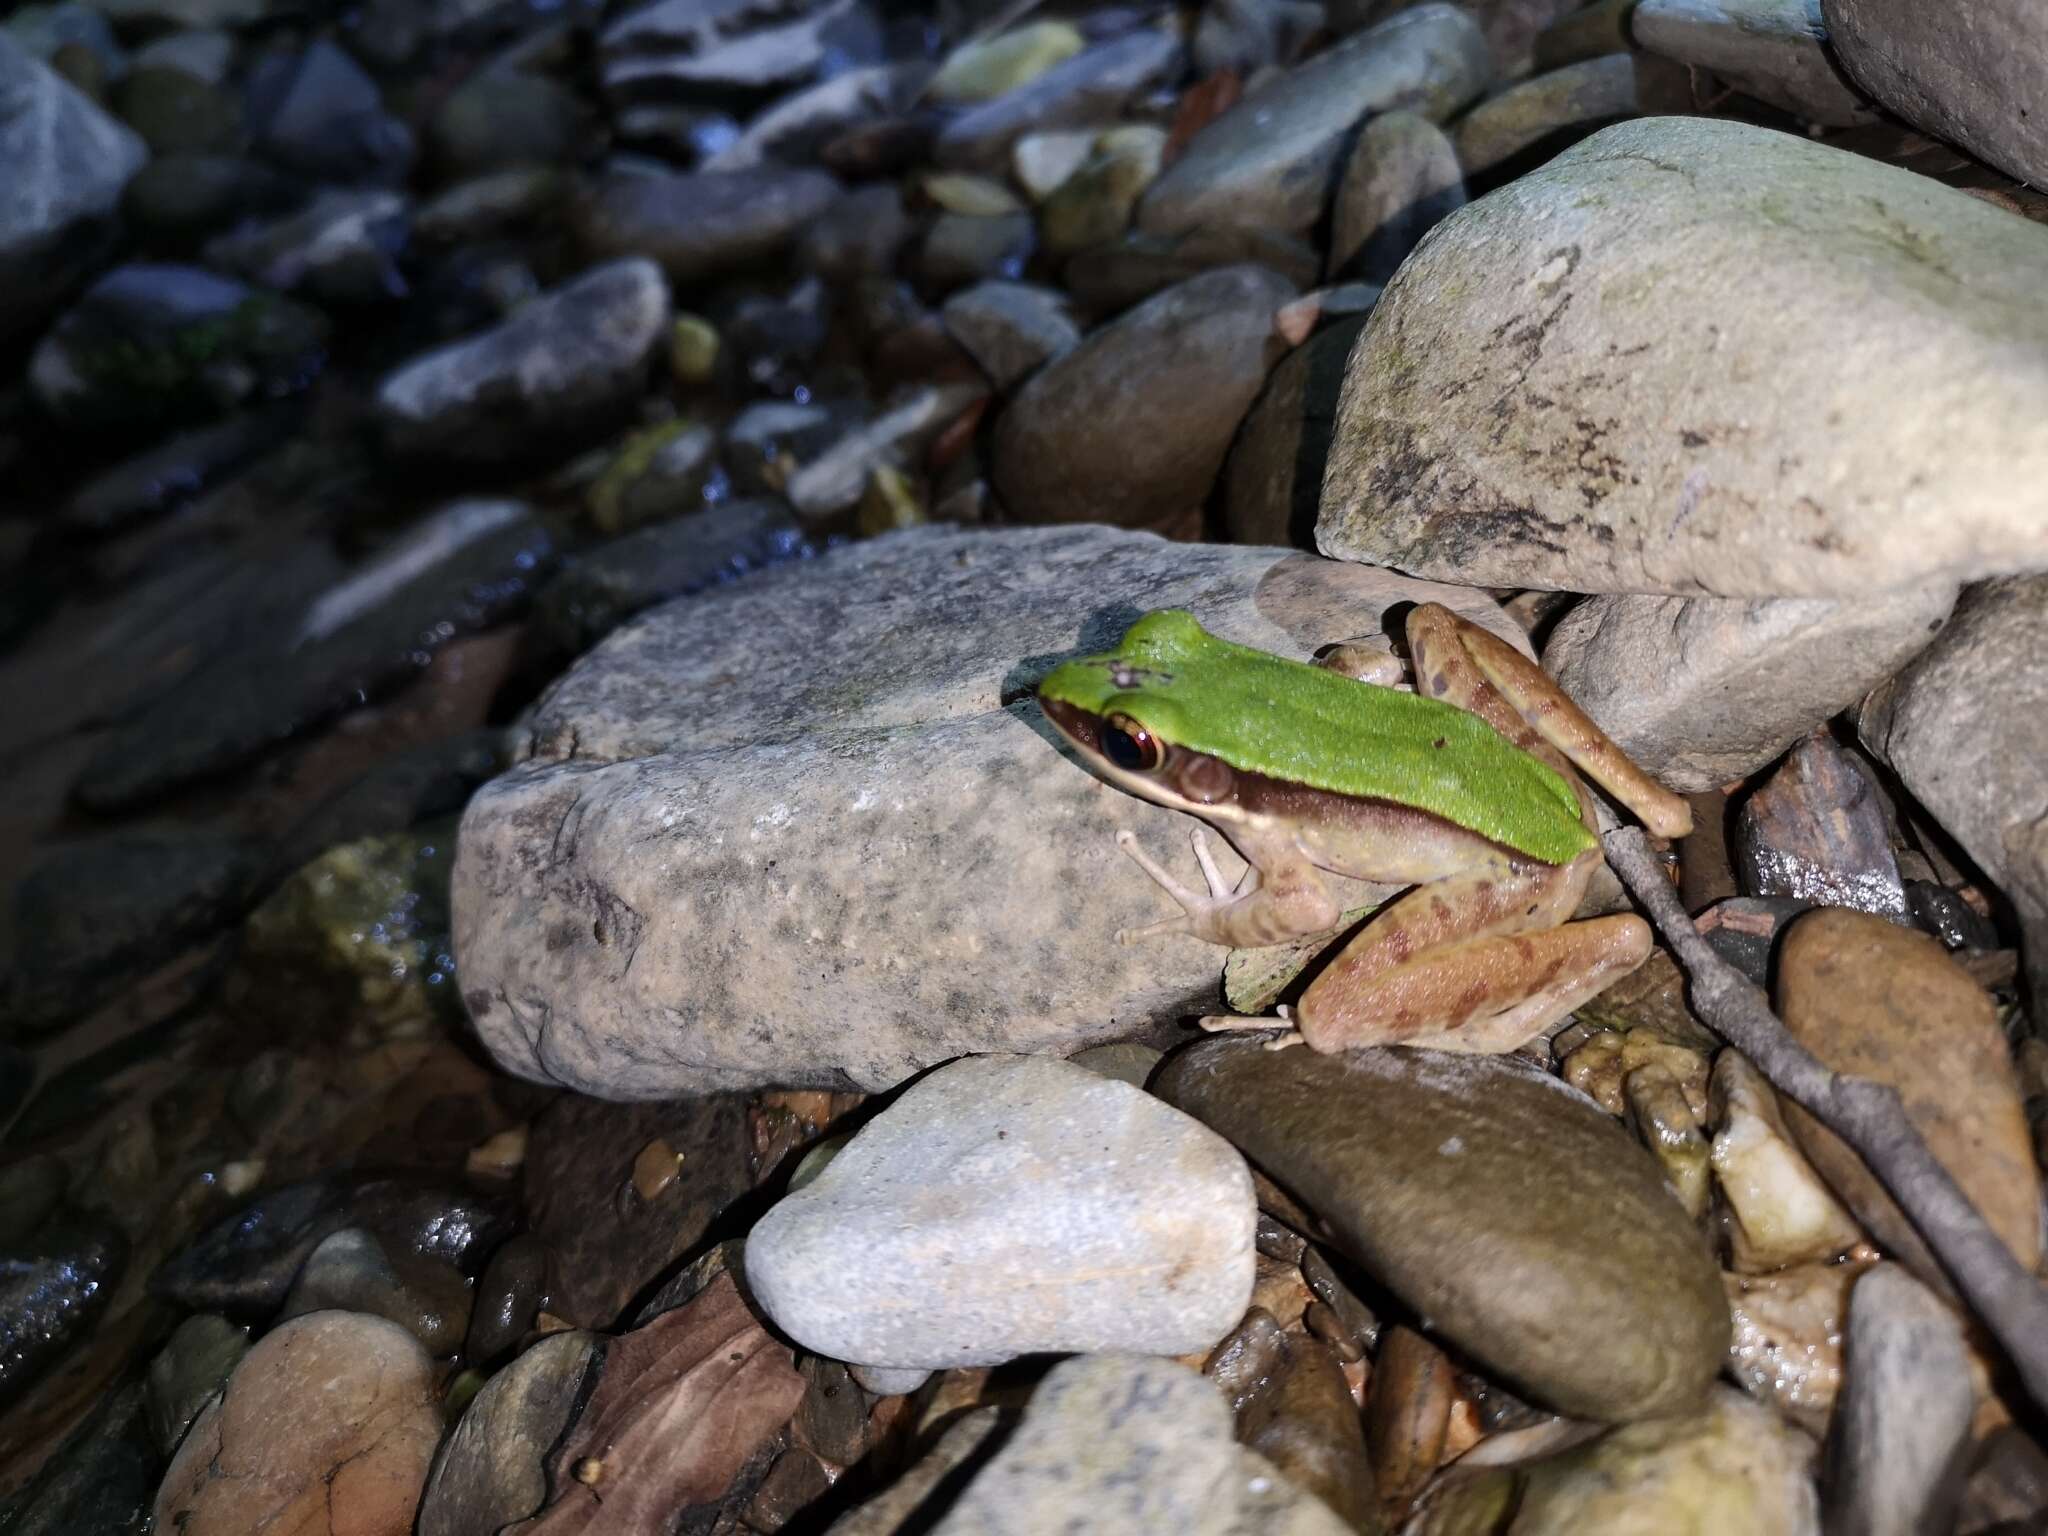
x=1132 y=712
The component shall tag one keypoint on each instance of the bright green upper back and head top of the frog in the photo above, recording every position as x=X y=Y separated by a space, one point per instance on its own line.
x=1318 y=728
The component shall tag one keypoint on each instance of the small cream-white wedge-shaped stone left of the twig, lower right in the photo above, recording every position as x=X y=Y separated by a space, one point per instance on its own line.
x=1779 y=1209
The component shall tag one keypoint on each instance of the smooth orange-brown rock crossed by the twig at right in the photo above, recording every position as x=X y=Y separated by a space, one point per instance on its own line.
x=1877 y=1000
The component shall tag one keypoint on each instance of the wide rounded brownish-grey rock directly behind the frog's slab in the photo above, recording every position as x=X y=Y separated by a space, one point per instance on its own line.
x=1136 y=421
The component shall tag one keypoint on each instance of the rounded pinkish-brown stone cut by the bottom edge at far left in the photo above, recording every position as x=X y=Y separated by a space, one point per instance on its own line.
x=329 y=1426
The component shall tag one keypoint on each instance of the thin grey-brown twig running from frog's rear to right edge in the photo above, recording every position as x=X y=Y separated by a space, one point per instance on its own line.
x=1865 y=1113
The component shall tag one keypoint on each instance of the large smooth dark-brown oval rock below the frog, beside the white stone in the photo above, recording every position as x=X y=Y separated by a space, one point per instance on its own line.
x=1496 y=1201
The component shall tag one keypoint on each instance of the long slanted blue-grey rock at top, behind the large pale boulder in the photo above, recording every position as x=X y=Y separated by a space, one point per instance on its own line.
x=1273 y=161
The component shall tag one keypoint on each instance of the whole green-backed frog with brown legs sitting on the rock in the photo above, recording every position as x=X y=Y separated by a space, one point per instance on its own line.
x=1463 y=787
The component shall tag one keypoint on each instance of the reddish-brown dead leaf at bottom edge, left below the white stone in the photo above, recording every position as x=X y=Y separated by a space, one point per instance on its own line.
x=681 y=1408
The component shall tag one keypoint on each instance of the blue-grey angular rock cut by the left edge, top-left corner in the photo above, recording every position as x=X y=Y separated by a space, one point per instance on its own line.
x=67 y=167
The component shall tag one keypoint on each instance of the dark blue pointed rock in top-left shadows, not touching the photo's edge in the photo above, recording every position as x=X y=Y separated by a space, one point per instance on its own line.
x=321 y=116
